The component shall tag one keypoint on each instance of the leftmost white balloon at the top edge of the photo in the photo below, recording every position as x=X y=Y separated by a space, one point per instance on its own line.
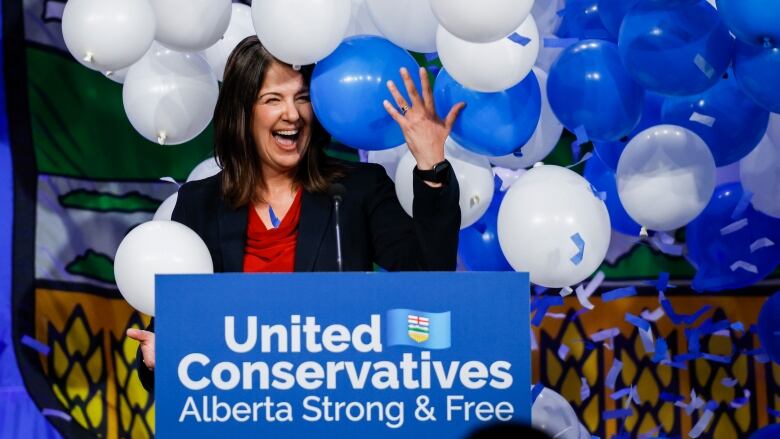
x=108 y=34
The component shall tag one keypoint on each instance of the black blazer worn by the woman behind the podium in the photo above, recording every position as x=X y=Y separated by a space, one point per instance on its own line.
x=374 y=227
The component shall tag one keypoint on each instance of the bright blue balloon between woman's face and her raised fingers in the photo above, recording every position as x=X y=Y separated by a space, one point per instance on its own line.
x=349 y=86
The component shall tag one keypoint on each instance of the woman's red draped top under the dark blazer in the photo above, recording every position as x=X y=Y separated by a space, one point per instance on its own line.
x=272 y=250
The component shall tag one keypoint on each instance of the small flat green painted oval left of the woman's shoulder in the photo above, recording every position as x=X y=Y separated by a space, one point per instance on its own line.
x=107 y=202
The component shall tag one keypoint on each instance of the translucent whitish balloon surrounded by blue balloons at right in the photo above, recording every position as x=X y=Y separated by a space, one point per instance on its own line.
x=665 y=177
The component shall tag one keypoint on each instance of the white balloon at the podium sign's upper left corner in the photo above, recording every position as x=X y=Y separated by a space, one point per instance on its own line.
x=157 y=247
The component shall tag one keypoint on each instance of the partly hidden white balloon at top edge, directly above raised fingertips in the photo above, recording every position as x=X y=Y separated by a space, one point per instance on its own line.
x=407 y=23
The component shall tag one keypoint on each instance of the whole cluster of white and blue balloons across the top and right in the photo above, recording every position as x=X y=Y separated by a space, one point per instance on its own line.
x=667 y=90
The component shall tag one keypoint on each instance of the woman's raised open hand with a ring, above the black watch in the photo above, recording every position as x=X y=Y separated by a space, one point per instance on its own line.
x=423 y=130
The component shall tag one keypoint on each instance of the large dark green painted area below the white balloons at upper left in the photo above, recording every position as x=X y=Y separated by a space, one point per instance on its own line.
x=80 y=129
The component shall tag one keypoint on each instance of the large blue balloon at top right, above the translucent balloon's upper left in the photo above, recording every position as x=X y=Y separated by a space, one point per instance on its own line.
x=675 y=50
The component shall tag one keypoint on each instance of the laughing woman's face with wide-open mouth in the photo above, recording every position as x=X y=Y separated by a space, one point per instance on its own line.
x=281 y=118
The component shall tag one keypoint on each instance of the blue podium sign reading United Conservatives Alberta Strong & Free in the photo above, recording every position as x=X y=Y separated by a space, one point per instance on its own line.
x=341 y=354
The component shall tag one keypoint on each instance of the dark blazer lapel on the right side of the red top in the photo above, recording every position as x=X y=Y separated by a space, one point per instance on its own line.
x=315 y=217
